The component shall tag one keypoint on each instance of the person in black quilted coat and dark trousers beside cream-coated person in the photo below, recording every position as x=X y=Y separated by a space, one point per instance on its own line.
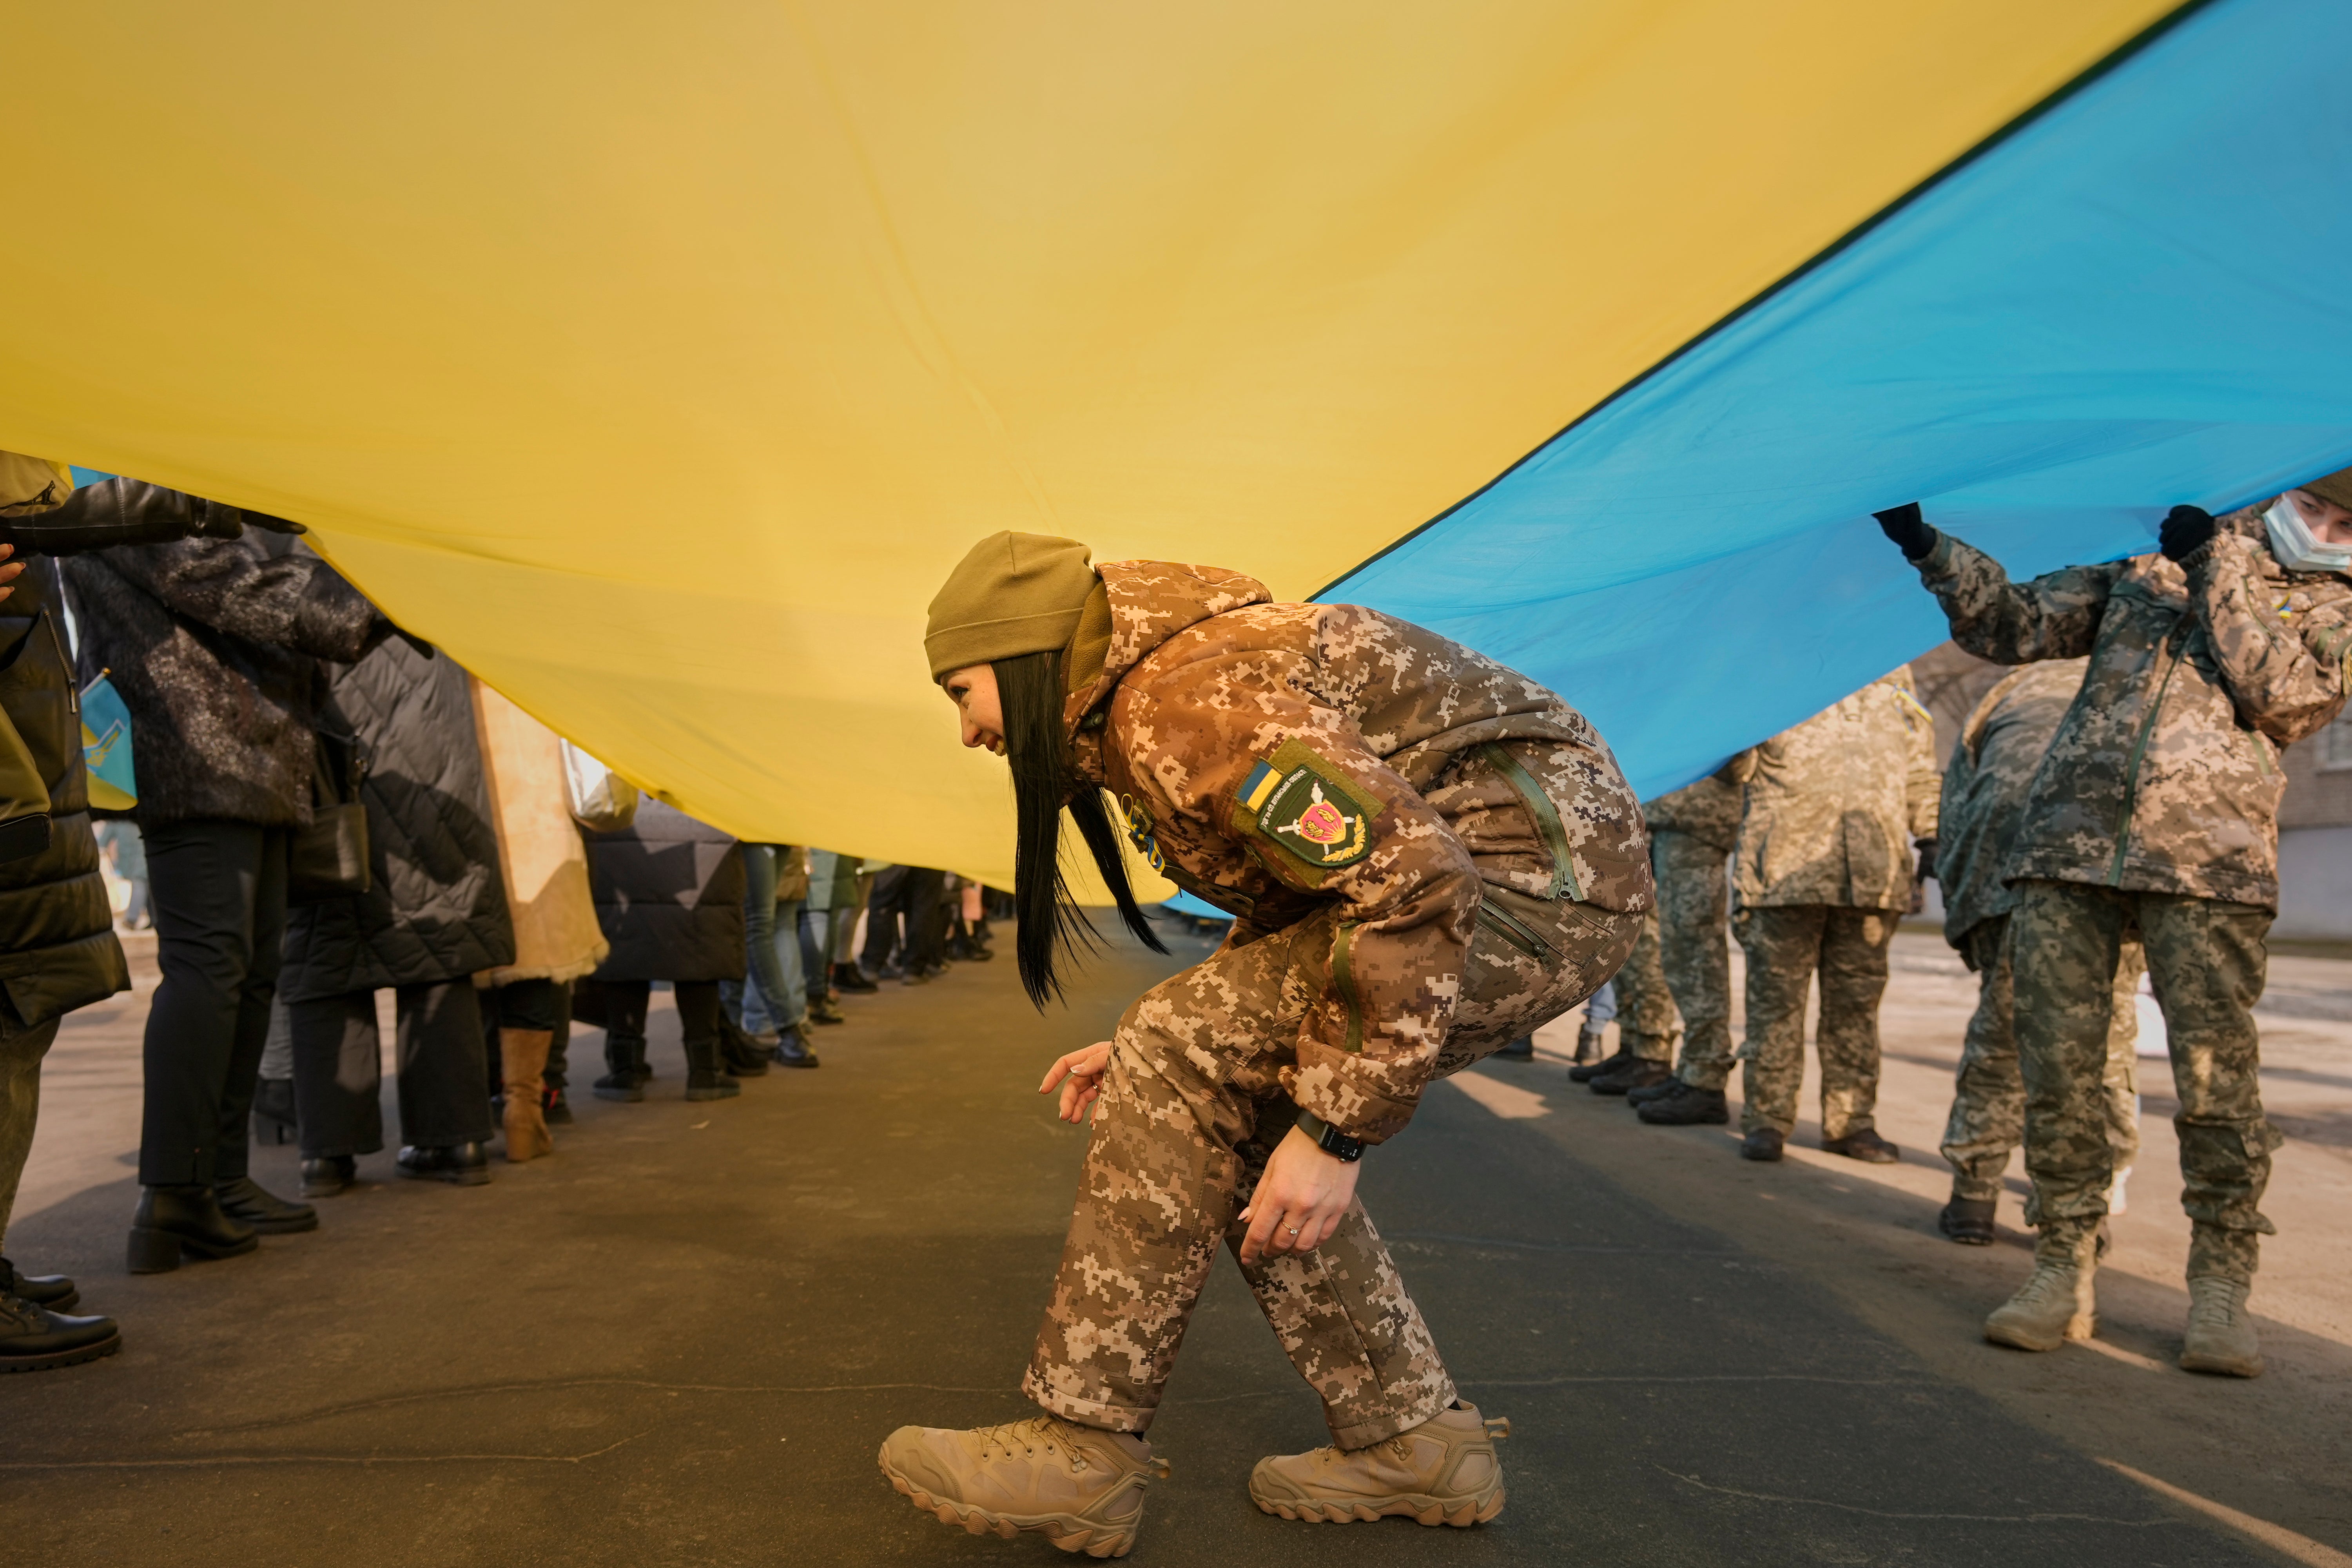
x=429 y=923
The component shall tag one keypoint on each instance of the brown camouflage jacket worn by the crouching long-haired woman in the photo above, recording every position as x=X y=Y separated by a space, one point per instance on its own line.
x=1285 y=758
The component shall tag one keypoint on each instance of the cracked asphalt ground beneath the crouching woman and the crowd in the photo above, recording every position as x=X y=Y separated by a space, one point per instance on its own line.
x=683 y=1339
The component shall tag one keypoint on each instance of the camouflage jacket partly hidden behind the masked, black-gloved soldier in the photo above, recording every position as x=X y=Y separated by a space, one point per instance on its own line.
x=1984 y=791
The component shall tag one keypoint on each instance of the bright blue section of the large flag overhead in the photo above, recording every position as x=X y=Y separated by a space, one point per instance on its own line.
x=2132 y=302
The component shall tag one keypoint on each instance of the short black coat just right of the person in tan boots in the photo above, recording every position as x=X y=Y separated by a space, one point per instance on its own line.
x=669 y=894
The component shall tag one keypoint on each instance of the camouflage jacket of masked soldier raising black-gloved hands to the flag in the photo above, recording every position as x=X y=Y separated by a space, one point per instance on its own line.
x=2165 y=775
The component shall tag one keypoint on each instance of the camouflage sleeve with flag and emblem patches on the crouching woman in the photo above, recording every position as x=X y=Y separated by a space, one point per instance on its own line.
x=1314 y=805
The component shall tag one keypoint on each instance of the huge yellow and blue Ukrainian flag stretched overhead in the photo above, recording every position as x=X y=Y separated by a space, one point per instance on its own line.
x=657 y=363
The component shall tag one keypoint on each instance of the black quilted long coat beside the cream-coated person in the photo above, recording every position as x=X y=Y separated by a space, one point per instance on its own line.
x=439 y=906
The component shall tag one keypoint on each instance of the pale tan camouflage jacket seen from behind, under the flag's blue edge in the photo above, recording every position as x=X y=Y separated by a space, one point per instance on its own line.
x=1833 y=805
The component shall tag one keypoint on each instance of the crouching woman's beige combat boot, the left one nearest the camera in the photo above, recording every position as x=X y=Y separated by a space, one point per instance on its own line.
x=1081 y=1487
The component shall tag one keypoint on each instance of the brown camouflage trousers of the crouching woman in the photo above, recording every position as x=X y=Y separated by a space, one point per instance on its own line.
x=1194 y=1108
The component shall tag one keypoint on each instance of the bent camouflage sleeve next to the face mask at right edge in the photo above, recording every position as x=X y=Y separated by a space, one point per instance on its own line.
x=2285 y=676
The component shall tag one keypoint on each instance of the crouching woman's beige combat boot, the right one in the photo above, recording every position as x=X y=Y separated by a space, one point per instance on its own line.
x=1438 y=1473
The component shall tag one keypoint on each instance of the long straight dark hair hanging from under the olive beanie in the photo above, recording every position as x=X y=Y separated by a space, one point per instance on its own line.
x=1048 y=784
